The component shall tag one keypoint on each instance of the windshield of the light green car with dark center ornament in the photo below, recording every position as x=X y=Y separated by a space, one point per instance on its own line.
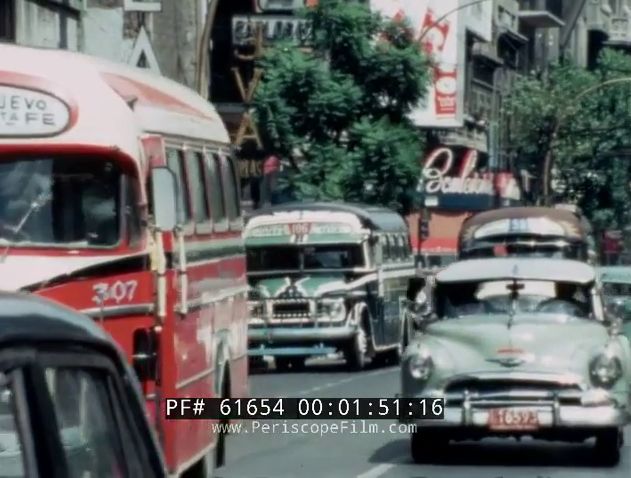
x=494 y=297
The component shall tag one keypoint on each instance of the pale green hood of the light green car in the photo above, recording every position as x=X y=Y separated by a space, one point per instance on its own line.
x=537 y=343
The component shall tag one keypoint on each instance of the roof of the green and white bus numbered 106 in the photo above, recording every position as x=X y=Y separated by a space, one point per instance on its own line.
x=375 y=217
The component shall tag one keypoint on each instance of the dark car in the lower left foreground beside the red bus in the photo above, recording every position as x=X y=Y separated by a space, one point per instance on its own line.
x=70 y=406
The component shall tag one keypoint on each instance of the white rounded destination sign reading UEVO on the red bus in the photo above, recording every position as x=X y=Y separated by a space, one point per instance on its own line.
x=26 y=112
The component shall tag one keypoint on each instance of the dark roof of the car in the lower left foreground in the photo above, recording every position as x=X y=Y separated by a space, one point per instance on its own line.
x=29 y=318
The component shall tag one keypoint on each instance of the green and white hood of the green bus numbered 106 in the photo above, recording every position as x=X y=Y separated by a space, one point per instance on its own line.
x=298 y=286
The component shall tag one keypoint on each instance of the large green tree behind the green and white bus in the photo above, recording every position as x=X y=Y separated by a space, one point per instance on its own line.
x=338 y=111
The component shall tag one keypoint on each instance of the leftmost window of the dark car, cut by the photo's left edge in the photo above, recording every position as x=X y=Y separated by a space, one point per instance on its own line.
x=11 y=458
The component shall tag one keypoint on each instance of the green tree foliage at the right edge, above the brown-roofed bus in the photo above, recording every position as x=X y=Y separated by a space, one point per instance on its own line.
x=592 y=147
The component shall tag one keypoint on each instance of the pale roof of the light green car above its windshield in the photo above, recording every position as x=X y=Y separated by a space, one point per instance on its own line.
x=507 y=268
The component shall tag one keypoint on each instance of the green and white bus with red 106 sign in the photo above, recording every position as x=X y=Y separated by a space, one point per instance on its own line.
x=327 y=278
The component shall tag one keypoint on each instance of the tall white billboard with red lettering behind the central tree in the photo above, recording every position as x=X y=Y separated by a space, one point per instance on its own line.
x=438 y=29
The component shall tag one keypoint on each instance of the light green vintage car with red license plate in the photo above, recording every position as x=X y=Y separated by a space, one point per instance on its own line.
x=519 y=346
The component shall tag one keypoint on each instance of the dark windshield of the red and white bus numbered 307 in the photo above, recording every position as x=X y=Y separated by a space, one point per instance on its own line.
x=59 y=202
